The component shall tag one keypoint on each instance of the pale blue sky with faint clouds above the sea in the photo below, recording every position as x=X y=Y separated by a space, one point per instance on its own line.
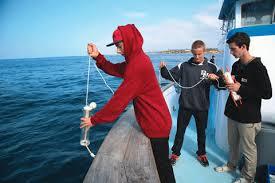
x=53 y=28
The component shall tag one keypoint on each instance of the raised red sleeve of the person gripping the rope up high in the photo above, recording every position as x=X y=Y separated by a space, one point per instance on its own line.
x=110 y=68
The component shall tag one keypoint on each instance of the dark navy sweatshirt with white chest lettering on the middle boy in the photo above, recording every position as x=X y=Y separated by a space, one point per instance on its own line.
x=188 y=74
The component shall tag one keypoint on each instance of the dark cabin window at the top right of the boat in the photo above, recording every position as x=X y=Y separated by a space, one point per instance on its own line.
x=257 y=13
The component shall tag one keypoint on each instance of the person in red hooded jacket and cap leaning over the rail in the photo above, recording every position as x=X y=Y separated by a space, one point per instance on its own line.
x=139 y=85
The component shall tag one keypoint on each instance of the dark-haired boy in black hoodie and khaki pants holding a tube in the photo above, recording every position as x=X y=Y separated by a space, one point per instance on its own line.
x=252 y=83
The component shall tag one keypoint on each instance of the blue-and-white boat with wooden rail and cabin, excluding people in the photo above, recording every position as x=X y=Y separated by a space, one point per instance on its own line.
x=126 y=155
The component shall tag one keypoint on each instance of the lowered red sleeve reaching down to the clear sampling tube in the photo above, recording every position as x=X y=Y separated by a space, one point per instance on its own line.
x=126 y=92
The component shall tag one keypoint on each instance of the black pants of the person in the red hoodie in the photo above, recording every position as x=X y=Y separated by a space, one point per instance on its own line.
x=161 y=153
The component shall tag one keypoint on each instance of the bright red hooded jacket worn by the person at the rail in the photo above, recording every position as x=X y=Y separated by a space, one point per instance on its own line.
x=139 y=85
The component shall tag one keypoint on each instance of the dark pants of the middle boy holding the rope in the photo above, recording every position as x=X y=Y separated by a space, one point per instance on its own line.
x=183 y=120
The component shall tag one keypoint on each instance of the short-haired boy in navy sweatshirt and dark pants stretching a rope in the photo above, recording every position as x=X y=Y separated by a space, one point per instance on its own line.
x=198 y=73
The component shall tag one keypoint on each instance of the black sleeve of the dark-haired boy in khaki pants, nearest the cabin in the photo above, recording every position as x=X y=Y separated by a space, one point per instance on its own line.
x=262 y=87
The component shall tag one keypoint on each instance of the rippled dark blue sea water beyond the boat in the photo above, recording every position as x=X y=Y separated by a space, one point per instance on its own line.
x=41 y=103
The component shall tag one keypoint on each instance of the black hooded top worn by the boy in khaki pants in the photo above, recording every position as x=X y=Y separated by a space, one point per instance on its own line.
x=255 y=86
